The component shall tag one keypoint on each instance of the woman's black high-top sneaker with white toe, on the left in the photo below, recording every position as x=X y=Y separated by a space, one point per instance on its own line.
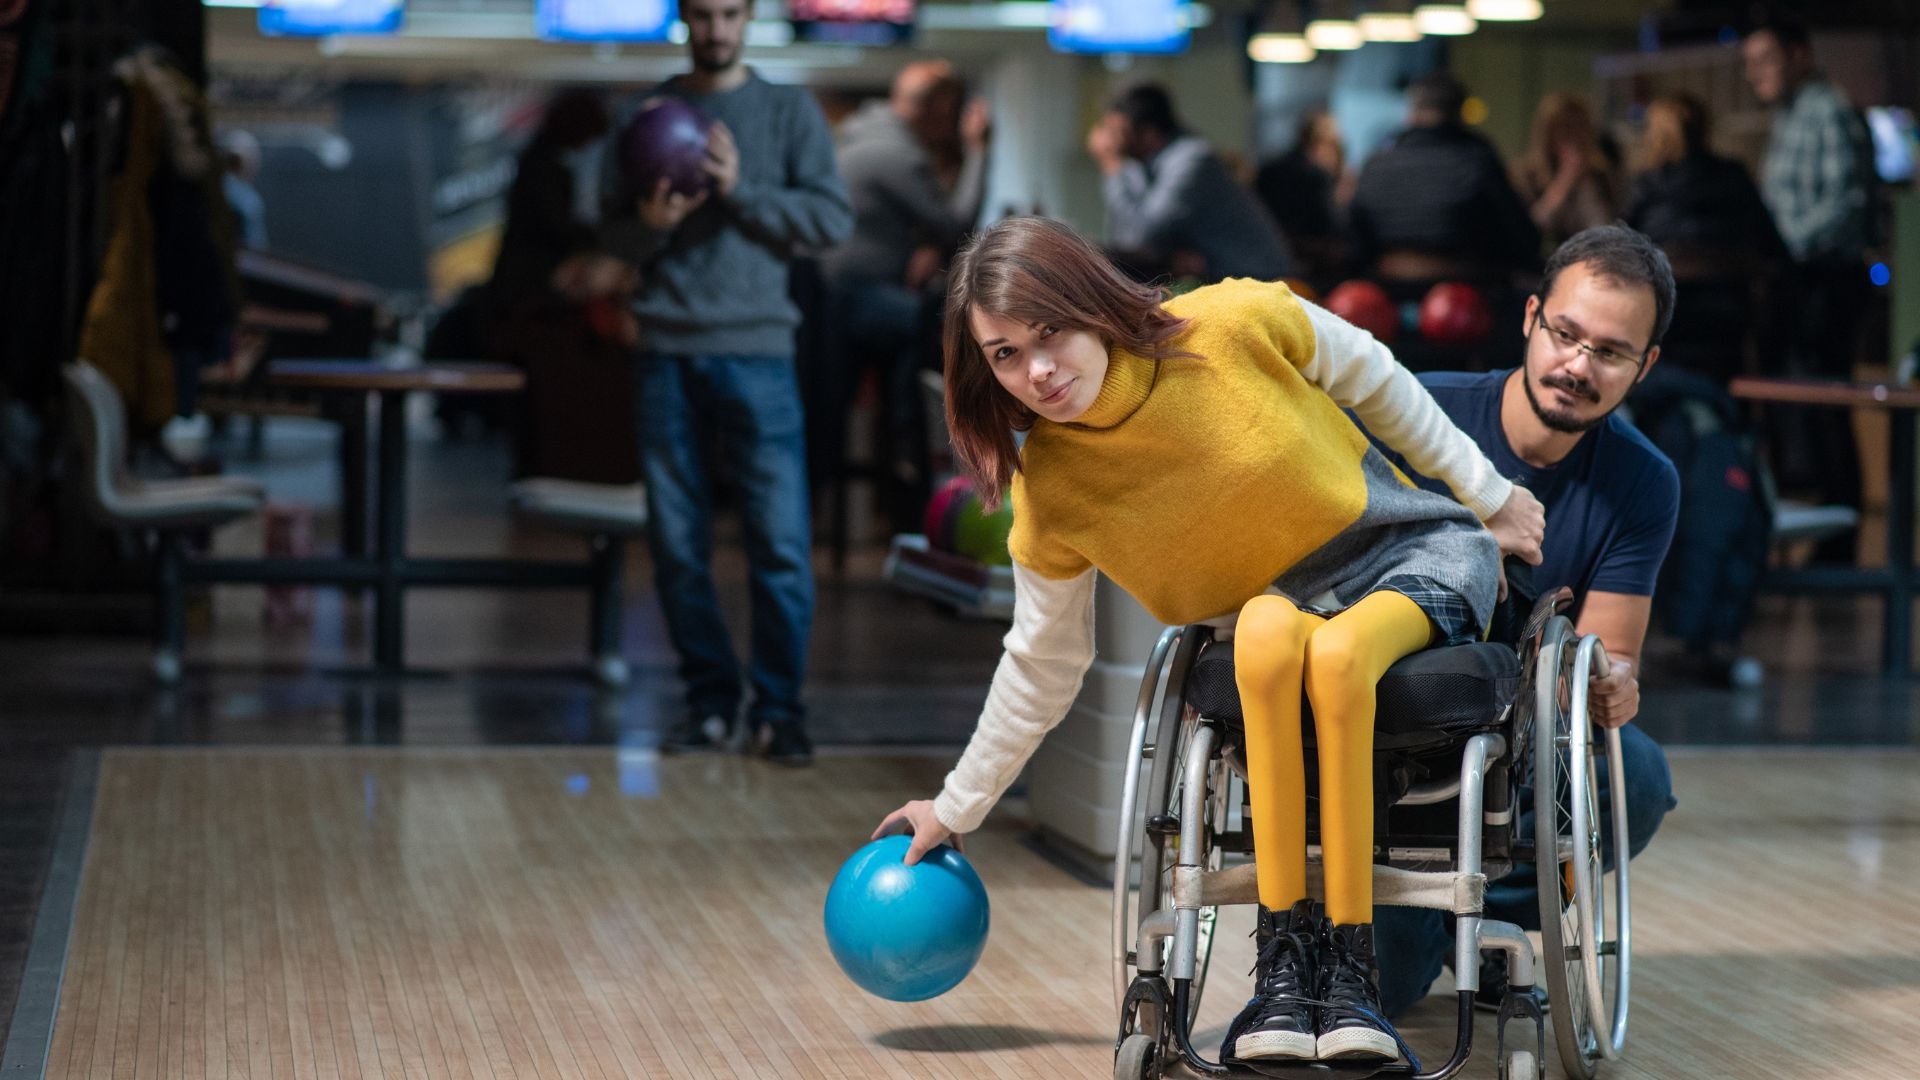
x=1280 y=1019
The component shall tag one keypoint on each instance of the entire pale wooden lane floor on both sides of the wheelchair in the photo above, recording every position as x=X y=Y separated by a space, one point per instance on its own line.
x=610 y=914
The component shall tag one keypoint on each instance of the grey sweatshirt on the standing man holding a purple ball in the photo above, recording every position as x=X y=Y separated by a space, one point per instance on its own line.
x=717 y=285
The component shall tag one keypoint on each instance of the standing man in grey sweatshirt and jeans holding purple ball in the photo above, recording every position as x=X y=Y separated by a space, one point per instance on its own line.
x=715 y=370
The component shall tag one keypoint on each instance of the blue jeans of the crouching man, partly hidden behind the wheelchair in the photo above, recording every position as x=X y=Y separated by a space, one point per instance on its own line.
x=1412 y=943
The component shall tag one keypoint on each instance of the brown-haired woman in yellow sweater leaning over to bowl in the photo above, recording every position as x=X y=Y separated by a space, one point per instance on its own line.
x=1195 y=451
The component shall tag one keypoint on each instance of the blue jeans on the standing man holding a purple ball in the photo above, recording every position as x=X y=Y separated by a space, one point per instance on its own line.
x=748 y=408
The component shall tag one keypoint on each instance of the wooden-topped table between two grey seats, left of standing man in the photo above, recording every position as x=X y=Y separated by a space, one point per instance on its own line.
x=391 y=572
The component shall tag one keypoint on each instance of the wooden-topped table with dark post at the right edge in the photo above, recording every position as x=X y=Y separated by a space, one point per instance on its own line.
x=1896 y=581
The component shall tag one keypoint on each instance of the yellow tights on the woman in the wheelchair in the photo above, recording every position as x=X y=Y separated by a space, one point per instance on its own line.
x=1282 y=656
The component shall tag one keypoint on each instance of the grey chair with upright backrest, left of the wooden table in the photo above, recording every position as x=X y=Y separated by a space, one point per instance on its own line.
x=160 y=510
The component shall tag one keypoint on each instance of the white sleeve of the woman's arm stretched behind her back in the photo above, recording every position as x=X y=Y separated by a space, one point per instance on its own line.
x=1362 y=376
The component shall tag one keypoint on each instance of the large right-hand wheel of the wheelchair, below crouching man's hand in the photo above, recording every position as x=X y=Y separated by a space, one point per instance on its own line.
x=1585 y=939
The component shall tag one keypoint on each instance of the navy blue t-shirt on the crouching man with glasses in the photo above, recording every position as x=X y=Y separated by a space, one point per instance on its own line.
x=1612 y=503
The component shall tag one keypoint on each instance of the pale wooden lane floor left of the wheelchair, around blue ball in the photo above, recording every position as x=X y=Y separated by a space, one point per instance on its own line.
x=535 y=914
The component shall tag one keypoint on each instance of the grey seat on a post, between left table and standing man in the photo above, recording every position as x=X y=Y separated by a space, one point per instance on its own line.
x=606 y=516
